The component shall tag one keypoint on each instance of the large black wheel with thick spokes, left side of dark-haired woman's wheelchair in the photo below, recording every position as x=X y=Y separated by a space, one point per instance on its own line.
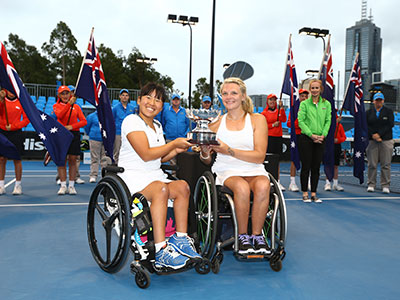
x=108 y=223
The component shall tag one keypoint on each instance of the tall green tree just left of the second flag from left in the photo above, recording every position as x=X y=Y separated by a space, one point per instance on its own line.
x=62 y=52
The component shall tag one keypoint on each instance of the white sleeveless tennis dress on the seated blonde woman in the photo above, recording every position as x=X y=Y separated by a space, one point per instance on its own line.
x=226 y=166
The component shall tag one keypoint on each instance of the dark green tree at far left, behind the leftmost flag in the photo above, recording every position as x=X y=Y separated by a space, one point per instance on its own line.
x=31 y=66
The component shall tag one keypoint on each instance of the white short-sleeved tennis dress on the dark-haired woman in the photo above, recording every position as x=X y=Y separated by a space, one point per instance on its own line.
x=138 y=173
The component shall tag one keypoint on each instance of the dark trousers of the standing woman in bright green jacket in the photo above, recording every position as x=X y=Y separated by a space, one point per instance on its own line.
x=311 y=156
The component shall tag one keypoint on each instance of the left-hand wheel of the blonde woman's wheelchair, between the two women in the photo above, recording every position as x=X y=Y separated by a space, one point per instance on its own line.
x=205 y=200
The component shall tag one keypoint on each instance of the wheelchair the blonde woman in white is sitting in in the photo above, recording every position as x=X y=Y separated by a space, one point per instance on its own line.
x=215 y=210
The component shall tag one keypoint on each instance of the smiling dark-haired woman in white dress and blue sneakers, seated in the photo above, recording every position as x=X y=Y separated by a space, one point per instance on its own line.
x=143 y=149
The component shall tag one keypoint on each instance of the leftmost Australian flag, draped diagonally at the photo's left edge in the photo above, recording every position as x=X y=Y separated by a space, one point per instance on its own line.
x=55 y=136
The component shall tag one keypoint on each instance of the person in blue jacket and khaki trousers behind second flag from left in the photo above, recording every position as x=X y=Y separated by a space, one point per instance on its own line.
x=97 y=152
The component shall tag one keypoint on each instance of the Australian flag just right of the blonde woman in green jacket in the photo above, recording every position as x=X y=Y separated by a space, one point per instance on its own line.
x=326 y=76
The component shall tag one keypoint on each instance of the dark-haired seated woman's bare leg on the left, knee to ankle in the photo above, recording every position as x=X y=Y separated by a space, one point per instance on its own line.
x=157 y=193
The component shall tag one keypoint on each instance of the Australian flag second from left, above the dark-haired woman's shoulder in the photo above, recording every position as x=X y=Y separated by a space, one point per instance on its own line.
x=92 y=87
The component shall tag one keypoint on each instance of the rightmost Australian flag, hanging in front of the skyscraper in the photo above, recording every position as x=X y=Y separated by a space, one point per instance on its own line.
x=354 y=103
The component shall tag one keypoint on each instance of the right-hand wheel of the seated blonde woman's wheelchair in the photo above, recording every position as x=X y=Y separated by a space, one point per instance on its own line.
x=275 y=226
